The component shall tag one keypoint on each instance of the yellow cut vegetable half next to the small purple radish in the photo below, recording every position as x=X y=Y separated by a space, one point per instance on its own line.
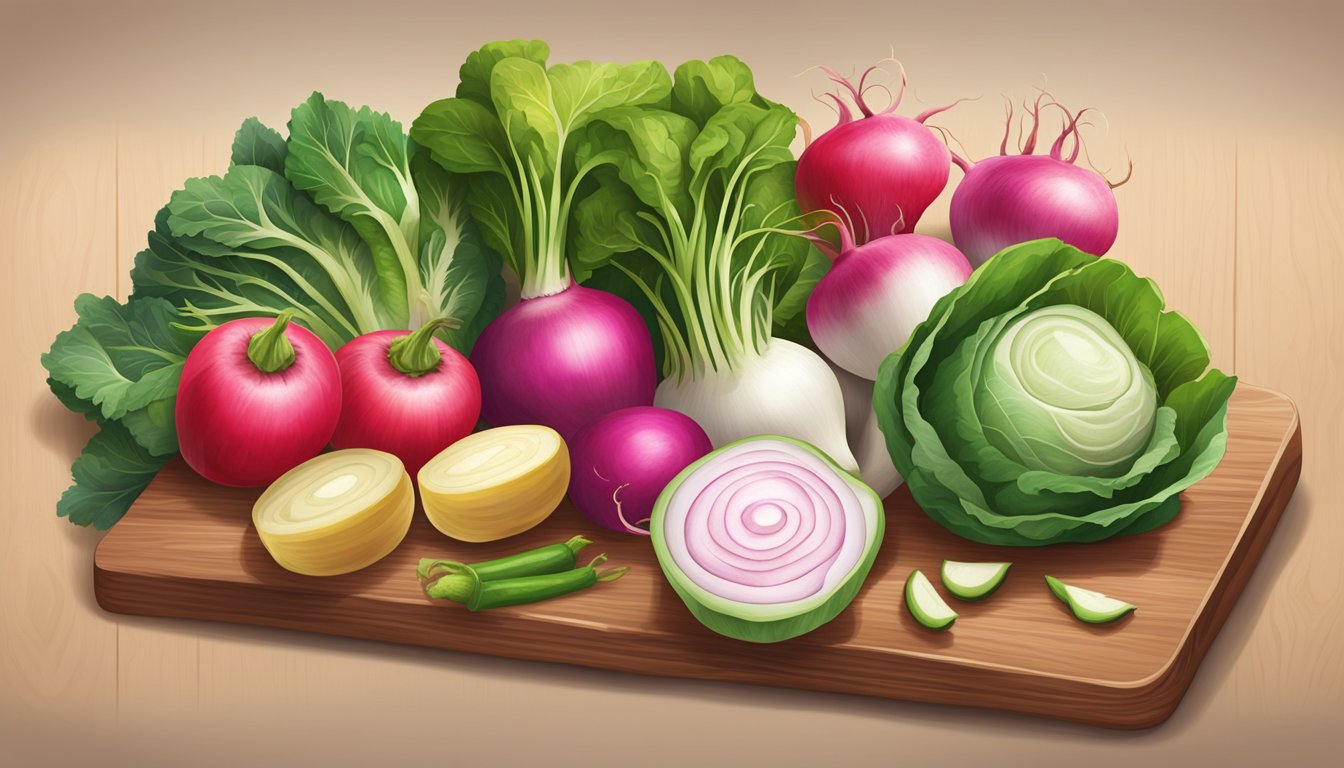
x=495 y=484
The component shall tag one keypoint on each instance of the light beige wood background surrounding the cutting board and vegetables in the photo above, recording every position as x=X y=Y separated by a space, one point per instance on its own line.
x=1229 y=110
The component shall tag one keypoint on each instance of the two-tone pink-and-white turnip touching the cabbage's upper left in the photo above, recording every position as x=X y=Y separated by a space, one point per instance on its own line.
x=876 y=294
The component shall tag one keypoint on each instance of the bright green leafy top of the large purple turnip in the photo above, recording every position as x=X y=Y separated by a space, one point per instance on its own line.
x=513 y=130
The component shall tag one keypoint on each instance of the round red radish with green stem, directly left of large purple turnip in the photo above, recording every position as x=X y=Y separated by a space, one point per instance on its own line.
x=409 y=395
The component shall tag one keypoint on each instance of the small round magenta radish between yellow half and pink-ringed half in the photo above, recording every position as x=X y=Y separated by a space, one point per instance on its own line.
x=622 y=462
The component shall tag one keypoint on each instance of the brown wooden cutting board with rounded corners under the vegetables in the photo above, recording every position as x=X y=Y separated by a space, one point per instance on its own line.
x=187 y=549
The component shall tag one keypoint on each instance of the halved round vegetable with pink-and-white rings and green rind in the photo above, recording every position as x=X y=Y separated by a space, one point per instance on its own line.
x=767 y=539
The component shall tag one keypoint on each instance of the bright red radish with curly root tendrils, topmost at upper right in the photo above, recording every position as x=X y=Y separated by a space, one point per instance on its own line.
x=878 y=173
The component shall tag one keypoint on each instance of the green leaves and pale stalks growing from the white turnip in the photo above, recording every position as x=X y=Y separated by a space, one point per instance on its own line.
x=697 y=223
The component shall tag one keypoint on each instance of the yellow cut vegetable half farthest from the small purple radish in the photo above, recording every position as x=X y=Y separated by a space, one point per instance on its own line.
x=337 y=513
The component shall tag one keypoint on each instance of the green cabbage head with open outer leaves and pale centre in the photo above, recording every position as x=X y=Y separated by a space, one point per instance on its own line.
x=1052 y=400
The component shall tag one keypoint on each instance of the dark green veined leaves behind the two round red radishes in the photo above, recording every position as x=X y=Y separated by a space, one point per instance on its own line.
x=347 y=224
